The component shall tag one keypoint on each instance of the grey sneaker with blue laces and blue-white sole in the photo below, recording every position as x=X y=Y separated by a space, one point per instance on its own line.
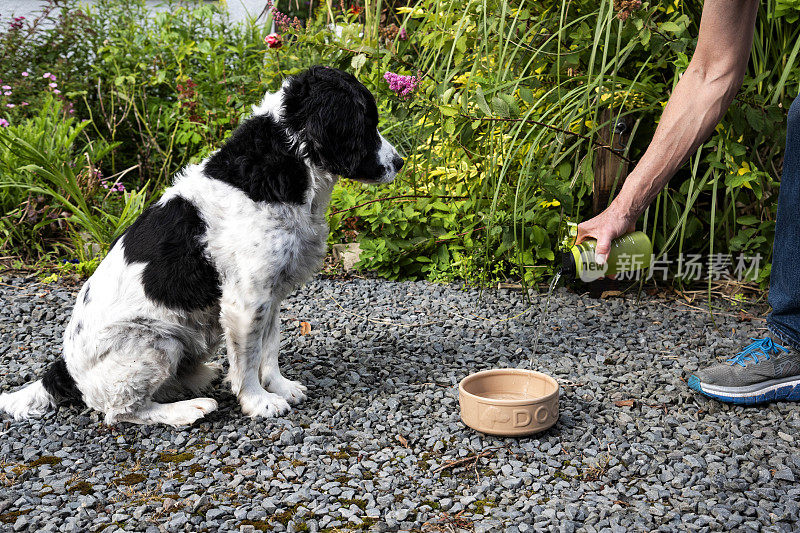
x=763 y=372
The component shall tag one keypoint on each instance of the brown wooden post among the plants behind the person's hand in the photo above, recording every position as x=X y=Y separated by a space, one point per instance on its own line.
x=609 y=167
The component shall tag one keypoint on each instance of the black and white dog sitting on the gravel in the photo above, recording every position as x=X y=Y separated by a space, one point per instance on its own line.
x=213 y=259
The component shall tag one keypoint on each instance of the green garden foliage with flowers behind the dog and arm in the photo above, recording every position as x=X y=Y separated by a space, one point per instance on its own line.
x=497 y=106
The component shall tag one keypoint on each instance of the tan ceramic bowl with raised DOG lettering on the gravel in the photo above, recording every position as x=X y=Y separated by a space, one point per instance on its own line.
x=508 y=401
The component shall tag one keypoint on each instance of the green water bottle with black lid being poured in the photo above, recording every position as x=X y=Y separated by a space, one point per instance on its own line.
x=628 y=253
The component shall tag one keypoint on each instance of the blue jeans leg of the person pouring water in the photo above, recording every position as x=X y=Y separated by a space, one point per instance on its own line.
x=784 y=286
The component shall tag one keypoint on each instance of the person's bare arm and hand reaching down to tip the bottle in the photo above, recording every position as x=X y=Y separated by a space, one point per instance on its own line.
x=697 y=104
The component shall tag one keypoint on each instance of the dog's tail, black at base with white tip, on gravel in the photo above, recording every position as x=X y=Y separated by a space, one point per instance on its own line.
x=57 y=386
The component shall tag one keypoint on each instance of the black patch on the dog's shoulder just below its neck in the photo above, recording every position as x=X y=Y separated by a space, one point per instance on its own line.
x=257 y=159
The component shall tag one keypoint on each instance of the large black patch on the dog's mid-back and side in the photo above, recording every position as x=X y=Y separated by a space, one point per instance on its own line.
x=167 y=237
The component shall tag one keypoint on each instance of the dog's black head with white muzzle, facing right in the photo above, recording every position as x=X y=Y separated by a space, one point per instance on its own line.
x=335 y=118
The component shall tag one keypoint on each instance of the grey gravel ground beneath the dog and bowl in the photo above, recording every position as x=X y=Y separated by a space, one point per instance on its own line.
x=372 y=448
